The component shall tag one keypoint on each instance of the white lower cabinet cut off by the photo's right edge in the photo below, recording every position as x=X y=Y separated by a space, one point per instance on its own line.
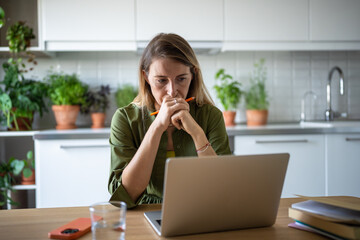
x=343 y=164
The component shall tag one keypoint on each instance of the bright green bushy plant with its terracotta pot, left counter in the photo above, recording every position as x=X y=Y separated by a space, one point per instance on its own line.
x=67 y=94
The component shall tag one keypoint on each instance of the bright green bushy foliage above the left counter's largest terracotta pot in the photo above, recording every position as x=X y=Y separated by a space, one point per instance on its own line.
x=65 y=89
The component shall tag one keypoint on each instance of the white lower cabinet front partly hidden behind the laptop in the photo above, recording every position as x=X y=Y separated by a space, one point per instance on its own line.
x=306 y=170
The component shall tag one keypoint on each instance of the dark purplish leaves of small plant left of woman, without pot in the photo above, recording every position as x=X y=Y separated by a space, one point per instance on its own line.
x=97 y=100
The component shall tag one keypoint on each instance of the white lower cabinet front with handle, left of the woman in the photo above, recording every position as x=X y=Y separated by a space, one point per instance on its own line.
x=71 y=172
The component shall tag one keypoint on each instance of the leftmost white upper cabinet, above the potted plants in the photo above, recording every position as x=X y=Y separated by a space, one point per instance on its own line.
x=89 y=25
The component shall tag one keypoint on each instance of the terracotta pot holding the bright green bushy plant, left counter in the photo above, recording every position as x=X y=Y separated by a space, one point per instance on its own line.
x=65 y=116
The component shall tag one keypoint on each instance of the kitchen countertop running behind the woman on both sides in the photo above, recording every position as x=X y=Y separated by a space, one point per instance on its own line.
x=346 y=127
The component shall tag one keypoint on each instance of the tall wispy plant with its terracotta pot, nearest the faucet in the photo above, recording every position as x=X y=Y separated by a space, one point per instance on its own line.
x=256 y=97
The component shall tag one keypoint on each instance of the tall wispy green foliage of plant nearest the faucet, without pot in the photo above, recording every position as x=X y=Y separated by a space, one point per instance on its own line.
x=256 y=97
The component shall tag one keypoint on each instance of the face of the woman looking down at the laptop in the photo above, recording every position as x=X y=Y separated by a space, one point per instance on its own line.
x=168 y=77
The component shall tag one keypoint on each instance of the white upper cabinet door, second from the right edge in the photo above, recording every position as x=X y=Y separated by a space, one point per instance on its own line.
x=264 y=20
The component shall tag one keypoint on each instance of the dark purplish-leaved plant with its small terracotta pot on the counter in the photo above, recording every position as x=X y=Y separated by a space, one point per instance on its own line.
x=97 y=103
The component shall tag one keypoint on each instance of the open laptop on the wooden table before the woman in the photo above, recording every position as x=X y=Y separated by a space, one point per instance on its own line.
x=219 y=193
